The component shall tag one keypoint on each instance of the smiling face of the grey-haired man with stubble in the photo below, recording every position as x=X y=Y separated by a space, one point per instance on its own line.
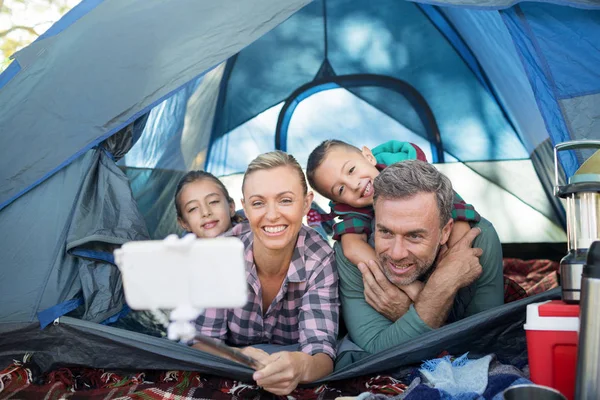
x=408 y=236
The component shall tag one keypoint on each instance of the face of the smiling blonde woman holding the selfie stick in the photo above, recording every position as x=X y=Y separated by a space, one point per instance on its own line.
x=275 y=204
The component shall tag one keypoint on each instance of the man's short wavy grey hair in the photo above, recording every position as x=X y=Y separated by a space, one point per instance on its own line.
x=405 y=179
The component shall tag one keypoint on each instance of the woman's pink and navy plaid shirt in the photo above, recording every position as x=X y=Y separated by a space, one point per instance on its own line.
x=304 y=311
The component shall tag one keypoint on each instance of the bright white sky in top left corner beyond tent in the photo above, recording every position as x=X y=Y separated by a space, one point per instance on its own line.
x=36 y=14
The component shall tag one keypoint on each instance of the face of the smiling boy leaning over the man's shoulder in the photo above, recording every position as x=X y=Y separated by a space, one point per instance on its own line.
x=346 y=176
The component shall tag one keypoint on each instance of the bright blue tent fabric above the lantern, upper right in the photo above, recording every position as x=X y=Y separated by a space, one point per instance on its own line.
x=557 y=83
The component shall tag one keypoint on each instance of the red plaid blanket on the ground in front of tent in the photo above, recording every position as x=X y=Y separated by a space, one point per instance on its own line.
x=21 y=381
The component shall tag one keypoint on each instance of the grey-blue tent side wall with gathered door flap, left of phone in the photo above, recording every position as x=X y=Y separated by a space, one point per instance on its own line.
x=60 y=235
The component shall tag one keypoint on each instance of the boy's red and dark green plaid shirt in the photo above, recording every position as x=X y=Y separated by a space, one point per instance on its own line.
x=360 y=220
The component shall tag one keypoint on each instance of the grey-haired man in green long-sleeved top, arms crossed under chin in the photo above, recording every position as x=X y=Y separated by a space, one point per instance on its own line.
x=413 y=203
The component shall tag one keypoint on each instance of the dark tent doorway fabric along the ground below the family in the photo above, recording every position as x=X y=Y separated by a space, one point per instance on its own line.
x=499 y=330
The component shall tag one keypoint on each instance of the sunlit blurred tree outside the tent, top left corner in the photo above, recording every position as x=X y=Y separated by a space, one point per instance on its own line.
x=23 y=21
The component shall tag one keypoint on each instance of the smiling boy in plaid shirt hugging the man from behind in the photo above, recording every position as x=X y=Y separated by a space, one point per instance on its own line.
x=344 y=174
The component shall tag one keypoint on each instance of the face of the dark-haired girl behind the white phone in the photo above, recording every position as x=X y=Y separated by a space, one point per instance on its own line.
x=205 y=210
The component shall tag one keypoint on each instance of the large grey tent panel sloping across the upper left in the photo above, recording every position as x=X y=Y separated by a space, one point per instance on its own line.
x=94 y=54
